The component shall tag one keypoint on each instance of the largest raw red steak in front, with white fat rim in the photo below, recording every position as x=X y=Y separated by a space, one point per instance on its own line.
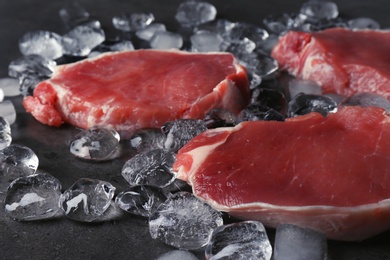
x=329 y=174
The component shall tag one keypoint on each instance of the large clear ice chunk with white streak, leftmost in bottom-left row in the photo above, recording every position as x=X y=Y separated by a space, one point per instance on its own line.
x=33 y=197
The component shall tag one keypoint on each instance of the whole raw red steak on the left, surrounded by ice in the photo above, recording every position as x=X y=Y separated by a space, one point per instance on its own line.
x=129 y=90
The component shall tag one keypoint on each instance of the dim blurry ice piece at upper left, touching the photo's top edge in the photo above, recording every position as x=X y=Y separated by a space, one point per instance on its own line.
x=72 y=13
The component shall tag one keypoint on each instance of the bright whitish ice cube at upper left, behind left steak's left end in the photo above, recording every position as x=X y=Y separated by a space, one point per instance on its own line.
x=44 y=43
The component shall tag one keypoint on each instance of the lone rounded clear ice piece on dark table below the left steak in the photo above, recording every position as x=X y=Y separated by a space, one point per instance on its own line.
x=98 y=144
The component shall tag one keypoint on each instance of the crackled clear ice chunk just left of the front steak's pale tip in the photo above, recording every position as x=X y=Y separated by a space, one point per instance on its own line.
x=152 y=168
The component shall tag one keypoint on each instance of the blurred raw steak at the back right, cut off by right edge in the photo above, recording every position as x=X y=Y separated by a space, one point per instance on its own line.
x=340 y=60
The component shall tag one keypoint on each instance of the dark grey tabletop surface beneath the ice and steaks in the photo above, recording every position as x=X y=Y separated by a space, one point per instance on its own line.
x=122 y=236
